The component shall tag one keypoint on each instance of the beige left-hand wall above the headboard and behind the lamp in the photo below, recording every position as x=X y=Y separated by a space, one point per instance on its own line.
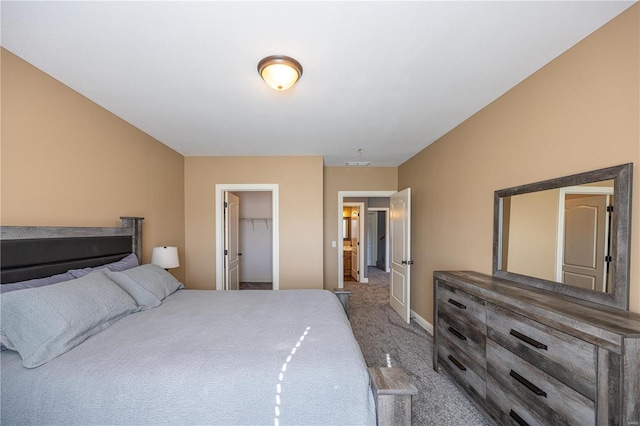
x=68 y=162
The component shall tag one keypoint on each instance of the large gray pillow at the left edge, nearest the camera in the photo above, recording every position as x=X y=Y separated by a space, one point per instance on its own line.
x=45 y=322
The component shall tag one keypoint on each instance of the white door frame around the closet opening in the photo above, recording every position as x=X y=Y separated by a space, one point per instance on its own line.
x=219 y=196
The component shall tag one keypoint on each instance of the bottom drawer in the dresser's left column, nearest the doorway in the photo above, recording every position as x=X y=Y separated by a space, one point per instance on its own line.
x=466 y=372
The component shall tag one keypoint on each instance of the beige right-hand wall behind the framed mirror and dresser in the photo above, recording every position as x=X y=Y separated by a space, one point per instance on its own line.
x=578 y=113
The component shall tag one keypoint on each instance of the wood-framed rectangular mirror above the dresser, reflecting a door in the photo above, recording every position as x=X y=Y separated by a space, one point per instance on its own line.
x=570 y=235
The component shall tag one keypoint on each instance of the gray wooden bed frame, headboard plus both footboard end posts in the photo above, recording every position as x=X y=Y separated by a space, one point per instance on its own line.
x=29 y=252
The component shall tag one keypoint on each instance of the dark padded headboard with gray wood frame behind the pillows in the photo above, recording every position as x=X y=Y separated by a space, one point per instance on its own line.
x=28 y=252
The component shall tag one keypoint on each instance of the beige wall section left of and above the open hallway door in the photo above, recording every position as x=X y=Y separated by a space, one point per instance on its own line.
x=347 y=179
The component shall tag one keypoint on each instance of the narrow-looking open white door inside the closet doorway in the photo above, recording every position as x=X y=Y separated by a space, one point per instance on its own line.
x=231 y=238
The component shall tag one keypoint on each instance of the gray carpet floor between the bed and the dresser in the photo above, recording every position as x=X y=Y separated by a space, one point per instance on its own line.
x=381 y=331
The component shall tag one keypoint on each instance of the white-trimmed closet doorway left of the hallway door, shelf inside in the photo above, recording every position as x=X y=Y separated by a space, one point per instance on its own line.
x=255 y=222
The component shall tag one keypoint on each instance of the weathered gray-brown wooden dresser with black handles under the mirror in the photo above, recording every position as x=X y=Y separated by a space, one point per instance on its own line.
x=529 y=356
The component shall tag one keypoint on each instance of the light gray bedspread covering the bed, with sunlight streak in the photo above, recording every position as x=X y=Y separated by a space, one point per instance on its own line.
x=204 y=357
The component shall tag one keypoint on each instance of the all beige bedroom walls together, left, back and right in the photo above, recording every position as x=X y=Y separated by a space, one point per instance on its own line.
x=66 y=161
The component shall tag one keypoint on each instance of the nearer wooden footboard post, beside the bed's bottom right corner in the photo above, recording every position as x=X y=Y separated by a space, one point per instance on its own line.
x=392 y=392
